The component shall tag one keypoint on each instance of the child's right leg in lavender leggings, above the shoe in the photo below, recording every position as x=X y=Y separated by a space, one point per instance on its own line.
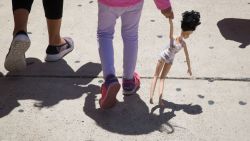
x=130 y=22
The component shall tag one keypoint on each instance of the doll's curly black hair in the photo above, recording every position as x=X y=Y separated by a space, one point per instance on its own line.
x=190 y=20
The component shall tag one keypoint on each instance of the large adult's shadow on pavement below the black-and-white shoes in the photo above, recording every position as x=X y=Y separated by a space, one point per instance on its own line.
x=47 y=84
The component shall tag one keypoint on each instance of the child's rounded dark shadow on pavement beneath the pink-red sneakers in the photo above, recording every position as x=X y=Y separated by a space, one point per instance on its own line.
x=129 y=117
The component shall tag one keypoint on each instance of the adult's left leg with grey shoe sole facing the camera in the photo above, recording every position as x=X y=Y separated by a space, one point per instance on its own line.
x=15 y=59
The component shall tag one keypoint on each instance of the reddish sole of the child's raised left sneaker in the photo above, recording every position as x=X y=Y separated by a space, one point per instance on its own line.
x=110 y=99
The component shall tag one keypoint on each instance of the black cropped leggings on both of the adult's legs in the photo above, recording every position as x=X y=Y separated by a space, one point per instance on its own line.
x=53 y=8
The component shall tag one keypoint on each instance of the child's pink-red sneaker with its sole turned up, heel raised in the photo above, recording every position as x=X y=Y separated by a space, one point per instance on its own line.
x=109 y=91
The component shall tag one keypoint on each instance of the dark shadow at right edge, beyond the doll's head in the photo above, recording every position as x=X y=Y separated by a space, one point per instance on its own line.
x=235 y=29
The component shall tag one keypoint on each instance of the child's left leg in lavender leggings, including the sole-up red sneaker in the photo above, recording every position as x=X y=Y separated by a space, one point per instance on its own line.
x=106 y=22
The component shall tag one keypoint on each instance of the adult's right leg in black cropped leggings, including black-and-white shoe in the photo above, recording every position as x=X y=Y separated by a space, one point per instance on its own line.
x=58 y=47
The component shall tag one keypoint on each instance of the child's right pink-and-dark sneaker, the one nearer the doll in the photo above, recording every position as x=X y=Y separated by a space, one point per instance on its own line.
x=131 y=86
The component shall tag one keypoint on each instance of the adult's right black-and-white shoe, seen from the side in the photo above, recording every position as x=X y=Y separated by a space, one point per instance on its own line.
x=56 y=53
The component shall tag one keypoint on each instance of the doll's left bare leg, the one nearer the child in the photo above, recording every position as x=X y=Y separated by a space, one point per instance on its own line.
x=158 y=70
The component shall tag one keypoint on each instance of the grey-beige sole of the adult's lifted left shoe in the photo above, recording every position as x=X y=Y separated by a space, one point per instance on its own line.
x=15 y=59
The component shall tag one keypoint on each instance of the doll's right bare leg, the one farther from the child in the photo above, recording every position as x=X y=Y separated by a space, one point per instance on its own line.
x=164 y=72
